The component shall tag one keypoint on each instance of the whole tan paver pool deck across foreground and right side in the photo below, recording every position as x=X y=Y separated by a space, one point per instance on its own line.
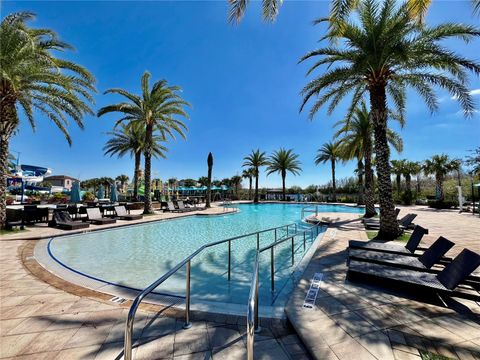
x=49 y=319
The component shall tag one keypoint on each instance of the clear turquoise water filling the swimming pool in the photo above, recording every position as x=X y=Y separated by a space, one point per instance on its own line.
x=137 y=255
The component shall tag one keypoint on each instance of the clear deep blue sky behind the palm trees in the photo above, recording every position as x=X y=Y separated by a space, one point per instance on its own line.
x=243 y=82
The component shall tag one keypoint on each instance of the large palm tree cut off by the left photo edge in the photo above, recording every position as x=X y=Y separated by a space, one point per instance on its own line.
x=33 y=78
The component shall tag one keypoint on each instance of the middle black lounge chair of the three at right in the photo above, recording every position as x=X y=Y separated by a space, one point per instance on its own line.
x=430 y=257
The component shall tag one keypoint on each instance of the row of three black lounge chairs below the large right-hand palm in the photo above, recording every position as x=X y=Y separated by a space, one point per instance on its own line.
x=424 y=269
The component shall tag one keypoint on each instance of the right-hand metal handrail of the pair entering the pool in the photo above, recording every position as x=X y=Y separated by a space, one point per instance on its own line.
x=253 y=325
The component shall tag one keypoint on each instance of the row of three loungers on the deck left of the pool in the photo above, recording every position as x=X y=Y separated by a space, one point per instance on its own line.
x=63 y=220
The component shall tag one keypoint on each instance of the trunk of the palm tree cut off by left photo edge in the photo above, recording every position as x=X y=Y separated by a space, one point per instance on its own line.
x=8 y=123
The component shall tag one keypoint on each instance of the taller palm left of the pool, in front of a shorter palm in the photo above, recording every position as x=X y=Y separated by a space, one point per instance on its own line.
x=156 y=110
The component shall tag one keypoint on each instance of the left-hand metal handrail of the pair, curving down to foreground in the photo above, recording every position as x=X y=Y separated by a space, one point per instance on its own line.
x=127 y=349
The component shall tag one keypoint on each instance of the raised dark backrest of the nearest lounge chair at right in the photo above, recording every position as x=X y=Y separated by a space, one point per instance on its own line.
x=461 y=266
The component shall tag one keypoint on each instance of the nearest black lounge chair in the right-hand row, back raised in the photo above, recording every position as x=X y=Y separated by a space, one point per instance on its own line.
x=447 y=281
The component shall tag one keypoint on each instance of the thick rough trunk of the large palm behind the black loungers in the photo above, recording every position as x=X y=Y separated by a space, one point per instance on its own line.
x=389 y=228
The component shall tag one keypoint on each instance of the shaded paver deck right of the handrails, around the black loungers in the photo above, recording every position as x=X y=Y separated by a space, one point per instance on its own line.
x=357 y=321
